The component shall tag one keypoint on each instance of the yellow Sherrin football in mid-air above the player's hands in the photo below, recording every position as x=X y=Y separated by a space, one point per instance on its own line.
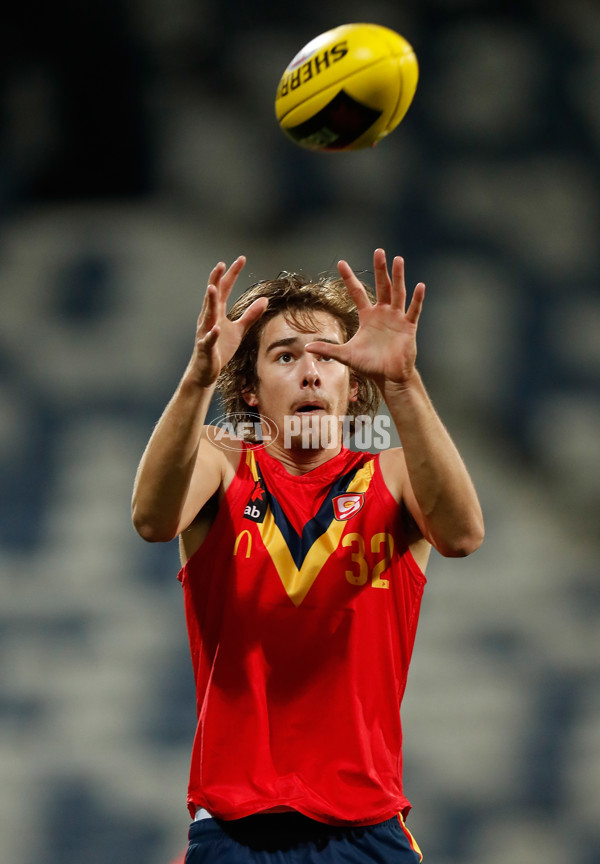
x=348 y=88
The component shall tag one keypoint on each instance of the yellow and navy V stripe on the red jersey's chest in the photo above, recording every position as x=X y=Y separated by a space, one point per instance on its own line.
x=299 y=559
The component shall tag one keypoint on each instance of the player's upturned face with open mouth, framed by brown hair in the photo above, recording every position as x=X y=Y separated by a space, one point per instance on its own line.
x=297 y=389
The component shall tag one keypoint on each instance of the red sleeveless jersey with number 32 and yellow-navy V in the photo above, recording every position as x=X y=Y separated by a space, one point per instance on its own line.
x=302 y=606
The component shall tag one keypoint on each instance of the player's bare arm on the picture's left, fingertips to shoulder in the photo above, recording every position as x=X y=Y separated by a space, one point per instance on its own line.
x=181 y=468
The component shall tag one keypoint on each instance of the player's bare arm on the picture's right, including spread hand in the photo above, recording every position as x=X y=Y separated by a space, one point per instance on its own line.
x=427 y=474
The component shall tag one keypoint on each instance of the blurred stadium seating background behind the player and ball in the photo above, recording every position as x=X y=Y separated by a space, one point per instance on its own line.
x=138 y=148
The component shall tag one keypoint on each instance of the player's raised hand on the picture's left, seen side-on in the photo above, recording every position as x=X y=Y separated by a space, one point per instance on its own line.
x=217 y=338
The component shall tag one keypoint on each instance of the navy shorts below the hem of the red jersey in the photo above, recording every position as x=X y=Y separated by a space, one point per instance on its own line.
x=291 y=838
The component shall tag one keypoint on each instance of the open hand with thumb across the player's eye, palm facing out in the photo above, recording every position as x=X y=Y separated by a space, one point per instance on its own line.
x=384 y=348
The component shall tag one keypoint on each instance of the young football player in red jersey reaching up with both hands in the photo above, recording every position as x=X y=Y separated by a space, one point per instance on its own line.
x=303 y=562
